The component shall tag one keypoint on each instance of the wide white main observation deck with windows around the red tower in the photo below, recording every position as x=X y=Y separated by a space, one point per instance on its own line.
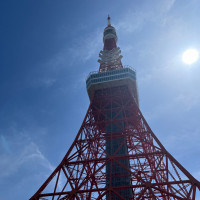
x=113 y=78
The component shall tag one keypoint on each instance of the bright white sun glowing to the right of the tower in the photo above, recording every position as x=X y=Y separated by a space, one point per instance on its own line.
x=190 y=56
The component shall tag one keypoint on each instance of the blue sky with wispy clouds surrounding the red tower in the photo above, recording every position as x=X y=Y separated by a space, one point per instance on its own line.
x=47 y=50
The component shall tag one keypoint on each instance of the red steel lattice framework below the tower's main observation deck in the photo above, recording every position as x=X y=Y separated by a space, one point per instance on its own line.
x=154 y=172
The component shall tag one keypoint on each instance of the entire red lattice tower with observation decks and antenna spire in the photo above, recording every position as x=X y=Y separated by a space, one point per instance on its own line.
x=115 y=155
